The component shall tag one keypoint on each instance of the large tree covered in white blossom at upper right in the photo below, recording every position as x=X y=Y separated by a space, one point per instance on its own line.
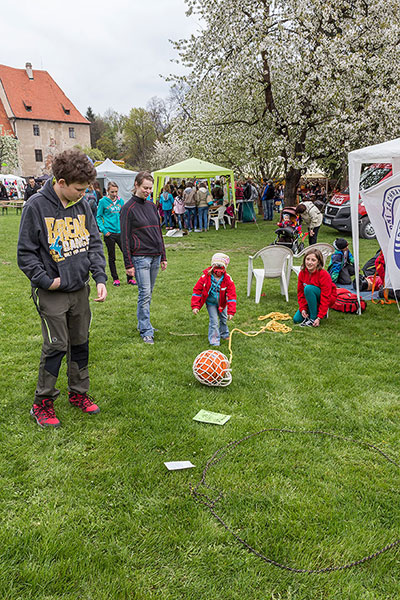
x=296 y=80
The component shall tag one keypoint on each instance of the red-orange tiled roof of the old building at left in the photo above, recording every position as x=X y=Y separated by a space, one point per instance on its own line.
x=42 y=94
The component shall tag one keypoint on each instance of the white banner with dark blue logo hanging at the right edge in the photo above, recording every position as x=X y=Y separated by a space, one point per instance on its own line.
x=382 y=203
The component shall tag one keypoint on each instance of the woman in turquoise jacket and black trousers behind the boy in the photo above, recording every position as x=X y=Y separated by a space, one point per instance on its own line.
x=108 y=220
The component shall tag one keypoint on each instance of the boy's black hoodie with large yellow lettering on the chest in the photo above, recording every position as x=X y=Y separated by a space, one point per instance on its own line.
x=59 y=242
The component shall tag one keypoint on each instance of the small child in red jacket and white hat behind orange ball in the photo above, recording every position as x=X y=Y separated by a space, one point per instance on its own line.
x=216 y=290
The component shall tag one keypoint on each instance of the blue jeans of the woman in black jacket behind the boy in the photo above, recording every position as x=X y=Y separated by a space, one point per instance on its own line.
x=146 y=269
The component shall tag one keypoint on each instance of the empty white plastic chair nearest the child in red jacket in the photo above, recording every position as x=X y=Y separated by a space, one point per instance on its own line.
x=277 y=263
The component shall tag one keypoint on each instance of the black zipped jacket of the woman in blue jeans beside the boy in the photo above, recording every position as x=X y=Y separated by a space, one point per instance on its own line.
x=141 y=233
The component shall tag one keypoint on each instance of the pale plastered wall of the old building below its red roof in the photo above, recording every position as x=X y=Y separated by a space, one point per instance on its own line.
x=52 y=138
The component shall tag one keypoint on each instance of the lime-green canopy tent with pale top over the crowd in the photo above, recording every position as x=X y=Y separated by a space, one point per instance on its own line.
x=192 y=168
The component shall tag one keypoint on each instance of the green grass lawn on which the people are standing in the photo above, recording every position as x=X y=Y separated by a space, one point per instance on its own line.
x=90 y=512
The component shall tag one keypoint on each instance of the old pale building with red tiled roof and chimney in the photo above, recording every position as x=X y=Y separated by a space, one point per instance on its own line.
x=42 y=118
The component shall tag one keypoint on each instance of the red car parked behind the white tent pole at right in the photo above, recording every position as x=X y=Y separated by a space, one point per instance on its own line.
x=337 y=211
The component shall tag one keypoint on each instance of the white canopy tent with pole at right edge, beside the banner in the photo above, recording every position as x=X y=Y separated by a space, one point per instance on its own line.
x=387 y=152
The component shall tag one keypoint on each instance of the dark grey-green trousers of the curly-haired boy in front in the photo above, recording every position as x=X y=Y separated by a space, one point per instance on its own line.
x=65 y=319
